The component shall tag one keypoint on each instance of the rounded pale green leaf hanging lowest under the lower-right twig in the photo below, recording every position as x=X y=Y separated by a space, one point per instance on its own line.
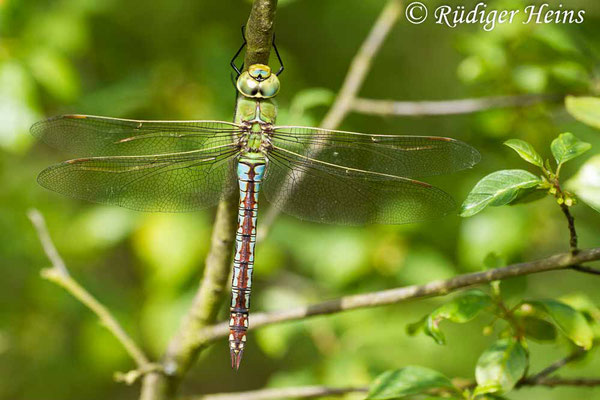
x=500 y=367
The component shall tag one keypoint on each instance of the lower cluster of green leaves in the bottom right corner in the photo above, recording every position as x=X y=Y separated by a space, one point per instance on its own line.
x=504 y=364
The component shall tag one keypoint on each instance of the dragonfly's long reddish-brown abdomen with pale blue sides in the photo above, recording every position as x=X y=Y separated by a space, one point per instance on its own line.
x=250 y=174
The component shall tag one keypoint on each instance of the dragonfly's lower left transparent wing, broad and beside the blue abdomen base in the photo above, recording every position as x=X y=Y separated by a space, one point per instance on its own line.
x=171 y=183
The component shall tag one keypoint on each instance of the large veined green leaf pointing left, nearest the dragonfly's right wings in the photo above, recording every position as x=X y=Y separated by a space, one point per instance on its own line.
x=497 y=189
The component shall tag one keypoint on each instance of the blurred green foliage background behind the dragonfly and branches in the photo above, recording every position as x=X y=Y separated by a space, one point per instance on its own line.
x=169 y=60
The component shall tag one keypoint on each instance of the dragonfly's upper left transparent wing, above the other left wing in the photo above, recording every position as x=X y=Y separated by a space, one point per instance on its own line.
x=85 y=135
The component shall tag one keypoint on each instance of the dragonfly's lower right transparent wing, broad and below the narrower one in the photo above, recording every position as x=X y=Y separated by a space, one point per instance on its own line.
x=312 y=190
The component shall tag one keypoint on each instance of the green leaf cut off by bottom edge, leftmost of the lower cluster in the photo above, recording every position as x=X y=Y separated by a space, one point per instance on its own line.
x=408 y=381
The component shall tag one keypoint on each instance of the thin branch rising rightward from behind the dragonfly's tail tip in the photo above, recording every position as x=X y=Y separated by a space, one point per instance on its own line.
x=397 y=295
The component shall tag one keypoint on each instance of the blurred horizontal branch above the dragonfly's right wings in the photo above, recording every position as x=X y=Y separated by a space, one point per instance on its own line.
x=448 y=107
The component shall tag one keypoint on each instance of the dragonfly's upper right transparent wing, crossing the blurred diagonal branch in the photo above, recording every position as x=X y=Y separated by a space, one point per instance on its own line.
x=407 y=156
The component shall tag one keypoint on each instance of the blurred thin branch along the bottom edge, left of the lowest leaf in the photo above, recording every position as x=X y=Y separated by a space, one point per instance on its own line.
x=304 y=392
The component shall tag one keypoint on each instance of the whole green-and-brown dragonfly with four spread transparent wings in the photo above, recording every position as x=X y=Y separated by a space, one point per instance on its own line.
x=321 y=175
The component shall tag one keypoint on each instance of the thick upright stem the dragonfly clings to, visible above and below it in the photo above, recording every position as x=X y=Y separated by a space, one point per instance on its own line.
x=184 y=347
